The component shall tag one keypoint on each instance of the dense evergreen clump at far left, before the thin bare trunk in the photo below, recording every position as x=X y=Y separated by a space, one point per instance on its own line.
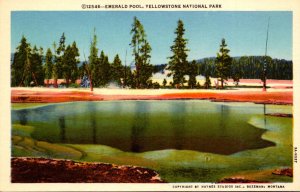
x=30 y=67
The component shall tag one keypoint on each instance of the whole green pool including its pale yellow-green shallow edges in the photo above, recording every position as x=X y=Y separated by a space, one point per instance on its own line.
x=183 y=140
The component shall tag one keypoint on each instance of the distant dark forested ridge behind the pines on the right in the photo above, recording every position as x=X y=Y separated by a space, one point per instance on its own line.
x=246 y=67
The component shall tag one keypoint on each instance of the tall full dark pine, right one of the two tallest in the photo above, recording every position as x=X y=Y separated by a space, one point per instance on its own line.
x=178 y=64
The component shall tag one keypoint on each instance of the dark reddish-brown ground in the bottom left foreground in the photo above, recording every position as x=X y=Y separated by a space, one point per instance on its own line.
x=42 y=170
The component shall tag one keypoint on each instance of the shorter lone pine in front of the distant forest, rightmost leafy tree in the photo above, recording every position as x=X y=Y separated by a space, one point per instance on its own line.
x=223 y=63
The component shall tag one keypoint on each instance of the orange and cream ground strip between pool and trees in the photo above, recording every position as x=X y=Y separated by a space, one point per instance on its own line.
x=280 y=92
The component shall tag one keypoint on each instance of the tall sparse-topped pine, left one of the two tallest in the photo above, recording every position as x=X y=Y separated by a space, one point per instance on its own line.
x=141 y=52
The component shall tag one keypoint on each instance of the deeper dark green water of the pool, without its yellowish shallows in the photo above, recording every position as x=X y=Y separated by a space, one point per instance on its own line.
x=139 y=126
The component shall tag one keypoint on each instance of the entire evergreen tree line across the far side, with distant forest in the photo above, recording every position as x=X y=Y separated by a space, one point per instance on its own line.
x=30 y=67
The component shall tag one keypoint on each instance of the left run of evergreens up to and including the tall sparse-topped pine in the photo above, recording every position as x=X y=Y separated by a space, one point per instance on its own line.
x=30 y=67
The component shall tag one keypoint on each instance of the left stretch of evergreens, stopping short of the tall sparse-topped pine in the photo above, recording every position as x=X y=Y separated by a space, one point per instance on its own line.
x=30 y=67
